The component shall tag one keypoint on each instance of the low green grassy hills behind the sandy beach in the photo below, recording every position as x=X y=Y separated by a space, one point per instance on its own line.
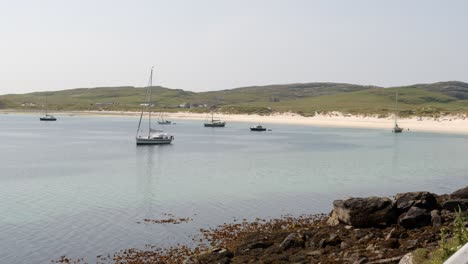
x=303 y=98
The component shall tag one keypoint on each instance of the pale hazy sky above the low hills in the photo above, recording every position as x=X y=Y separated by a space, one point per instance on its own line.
x=204 y=45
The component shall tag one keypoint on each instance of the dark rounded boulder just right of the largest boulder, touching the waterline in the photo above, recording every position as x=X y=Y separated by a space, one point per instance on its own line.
x=426 y=200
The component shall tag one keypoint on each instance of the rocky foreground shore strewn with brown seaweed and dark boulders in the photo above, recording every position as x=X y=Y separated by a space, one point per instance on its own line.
x=359 y=230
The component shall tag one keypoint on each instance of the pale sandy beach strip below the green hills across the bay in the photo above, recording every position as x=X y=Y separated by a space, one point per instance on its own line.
x=449 y=124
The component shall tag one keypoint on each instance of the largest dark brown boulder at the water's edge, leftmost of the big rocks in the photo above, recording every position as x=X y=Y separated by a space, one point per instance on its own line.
x=365 y=212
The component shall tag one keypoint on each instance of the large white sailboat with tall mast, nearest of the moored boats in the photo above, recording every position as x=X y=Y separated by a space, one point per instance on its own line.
x=152 y=136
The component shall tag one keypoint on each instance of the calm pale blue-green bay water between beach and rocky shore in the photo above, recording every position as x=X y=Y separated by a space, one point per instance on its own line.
x=78 y=186
